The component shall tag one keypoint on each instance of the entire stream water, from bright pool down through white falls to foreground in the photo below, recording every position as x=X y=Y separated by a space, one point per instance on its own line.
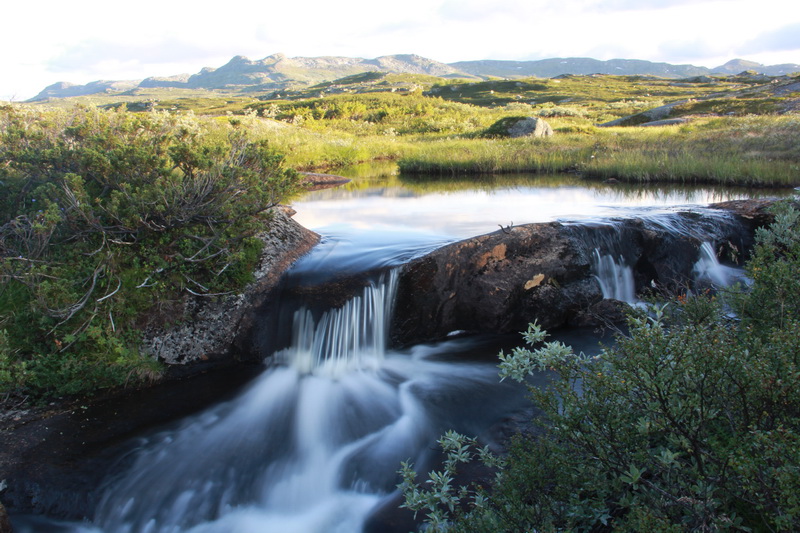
x=314 y=443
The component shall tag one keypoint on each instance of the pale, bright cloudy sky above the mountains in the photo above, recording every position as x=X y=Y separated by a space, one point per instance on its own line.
x=80 y=41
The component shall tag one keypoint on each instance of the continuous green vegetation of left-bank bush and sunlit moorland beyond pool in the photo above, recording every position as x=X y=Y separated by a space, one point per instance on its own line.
x=115 y=209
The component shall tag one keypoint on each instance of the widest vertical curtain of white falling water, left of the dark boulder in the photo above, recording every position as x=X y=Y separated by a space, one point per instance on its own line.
x=352 y=336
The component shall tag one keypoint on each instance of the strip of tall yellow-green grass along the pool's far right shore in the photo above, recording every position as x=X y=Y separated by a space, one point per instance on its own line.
x=752 y=151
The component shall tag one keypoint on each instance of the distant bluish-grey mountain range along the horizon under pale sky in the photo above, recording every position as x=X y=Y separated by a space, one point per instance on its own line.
x=278 y=72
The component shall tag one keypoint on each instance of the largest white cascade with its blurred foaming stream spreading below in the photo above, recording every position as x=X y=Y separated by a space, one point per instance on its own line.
x=314 y=444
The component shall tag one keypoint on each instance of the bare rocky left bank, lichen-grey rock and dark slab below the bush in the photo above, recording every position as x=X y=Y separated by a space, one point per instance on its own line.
x=53 y=454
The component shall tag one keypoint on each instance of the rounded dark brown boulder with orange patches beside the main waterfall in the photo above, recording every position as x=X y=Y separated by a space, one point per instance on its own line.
x=497 y=282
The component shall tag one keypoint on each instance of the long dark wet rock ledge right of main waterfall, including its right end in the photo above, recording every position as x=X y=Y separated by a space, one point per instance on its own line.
x=502 y=281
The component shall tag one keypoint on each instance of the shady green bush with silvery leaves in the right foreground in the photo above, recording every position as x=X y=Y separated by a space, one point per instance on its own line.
x=691 y=422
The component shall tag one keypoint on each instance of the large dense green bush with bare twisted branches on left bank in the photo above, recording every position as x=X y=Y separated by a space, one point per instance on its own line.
x=108 y=219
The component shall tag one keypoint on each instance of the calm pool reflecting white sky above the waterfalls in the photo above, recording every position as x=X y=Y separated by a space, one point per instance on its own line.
x=387 y=220
